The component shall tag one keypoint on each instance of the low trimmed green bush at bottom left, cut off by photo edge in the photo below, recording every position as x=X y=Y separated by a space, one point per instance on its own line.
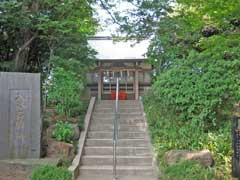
x=50 y=173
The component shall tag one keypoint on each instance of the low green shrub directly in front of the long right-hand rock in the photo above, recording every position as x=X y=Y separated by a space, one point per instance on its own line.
x=188 y=170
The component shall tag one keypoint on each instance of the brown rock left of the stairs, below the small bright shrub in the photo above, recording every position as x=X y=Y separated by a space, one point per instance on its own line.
x=60 y=149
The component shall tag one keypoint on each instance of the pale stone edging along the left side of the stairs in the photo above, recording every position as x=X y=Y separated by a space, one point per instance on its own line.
x=74 y=168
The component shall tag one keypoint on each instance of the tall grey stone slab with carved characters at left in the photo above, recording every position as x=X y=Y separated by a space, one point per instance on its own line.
x=20 y=130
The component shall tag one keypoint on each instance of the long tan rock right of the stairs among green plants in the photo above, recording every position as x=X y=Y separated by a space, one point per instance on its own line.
x=203 y=157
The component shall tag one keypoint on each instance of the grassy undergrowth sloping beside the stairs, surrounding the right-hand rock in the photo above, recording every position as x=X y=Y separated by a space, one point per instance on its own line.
x=168 y=132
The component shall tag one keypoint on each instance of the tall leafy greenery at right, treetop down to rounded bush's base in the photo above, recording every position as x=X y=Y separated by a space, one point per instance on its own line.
x=195 y=50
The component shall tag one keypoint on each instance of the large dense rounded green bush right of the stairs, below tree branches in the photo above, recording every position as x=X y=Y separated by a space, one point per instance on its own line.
x=202 y=87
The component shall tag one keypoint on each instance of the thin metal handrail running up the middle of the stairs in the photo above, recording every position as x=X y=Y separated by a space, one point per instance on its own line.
x=115 y=131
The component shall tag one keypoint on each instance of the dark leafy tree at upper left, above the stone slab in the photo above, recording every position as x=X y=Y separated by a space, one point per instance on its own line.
x=32 y=30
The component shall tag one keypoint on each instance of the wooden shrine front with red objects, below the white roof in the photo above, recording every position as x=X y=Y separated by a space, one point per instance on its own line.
x=134 y=79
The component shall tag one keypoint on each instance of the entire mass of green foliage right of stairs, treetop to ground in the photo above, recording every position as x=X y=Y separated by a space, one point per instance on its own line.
x=195 y=52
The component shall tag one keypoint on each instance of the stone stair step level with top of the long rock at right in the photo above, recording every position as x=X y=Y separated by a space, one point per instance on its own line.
x=121 y=151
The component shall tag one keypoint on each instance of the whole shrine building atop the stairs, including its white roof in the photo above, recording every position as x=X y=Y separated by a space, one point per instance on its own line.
x=125 y=60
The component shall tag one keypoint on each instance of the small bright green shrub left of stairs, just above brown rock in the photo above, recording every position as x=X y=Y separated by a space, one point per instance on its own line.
x=63 y=131
